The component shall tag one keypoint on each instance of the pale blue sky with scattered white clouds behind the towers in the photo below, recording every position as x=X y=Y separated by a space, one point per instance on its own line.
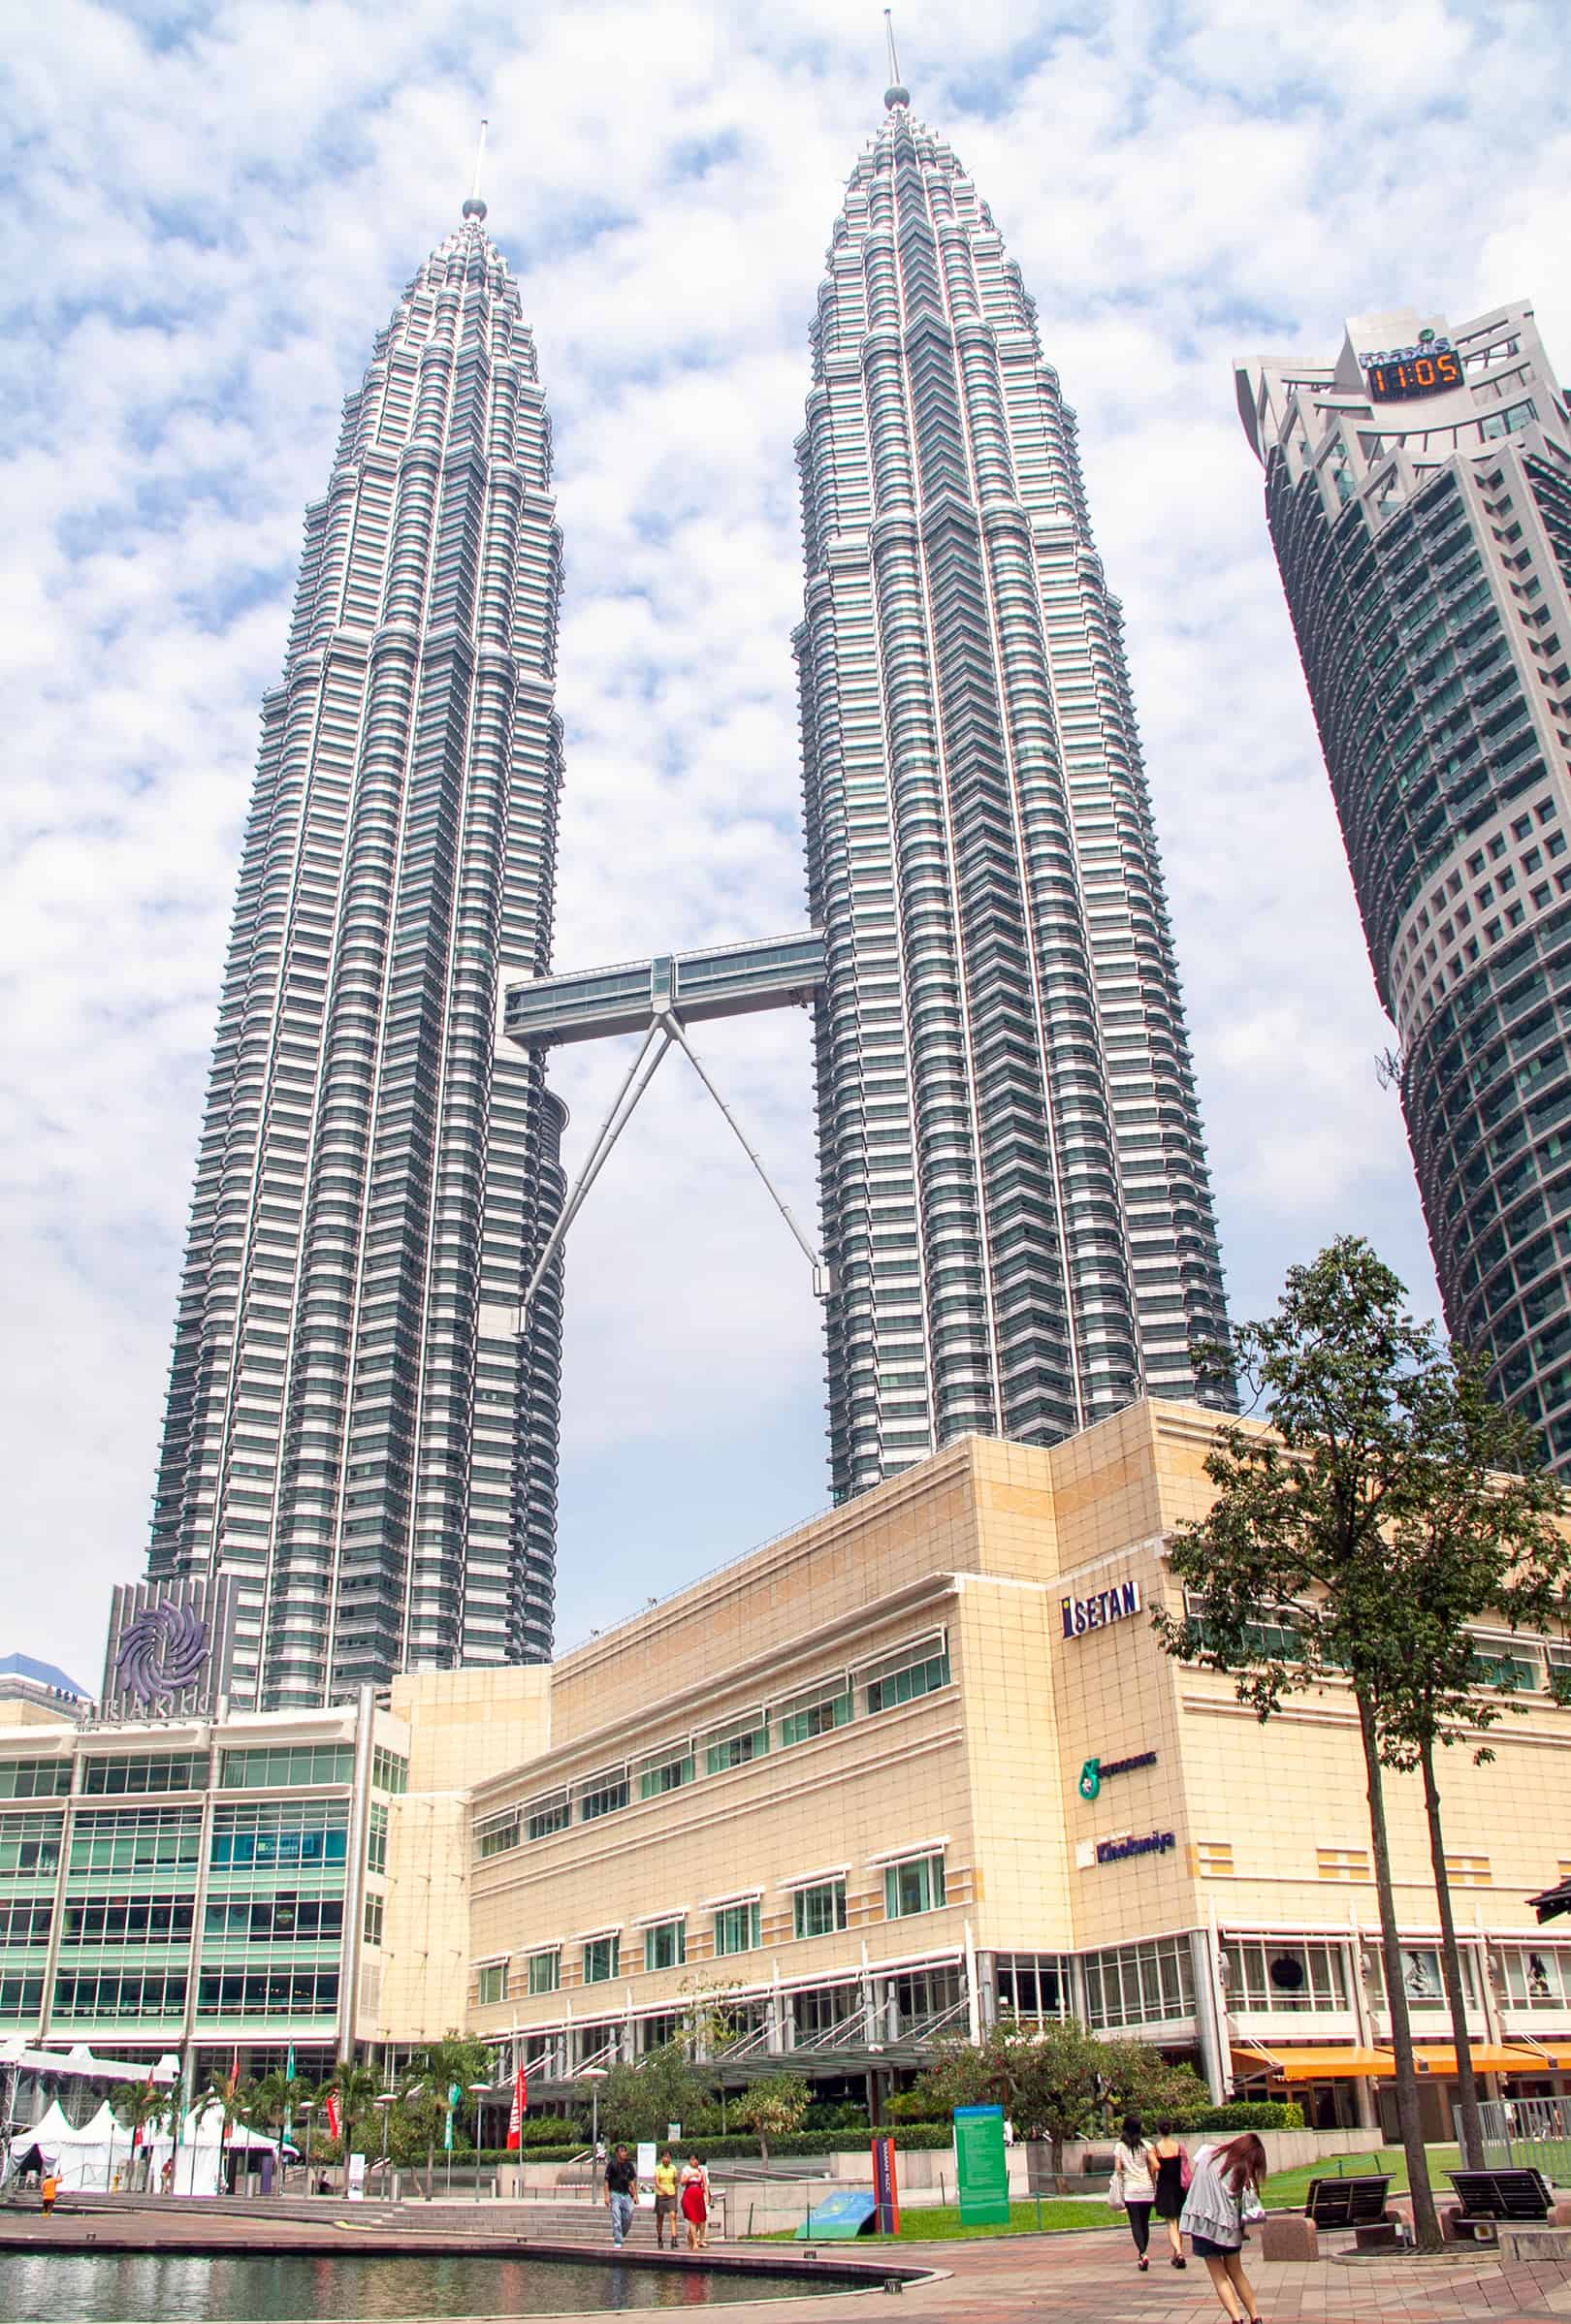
x=213 y=208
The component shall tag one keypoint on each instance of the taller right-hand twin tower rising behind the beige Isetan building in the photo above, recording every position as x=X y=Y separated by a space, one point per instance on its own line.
x=1014 y=1184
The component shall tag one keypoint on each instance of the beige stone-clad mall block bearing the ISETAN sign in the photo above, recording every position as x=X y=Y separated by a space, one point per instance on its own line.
x=921 y=1765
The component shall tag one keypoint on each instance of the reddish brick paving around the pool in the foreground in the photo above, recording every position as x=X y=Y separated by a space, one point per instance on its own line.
x=1007 y=2281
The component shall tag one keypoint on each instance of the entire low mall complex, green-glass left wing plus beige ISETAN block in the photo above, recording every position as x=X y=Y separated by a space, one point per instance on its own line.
x=914 y=1767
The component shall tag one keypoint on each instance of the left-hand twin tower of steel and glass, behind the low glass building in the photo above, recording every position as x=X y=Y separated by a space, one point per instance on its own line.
x=354 y=1430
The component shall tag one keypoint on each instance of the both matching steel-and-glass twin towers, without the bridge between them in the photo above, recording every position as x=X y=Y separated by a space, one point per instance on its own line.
x=1017 y=1219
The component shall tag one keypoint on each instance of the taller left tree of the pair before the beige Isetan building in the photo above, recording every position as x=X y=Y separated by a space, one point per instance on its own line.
x=1326 y=1533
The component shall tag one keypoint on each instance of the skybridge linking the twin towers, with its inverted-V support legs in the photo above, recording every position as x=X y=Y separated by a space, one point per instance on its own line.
x=661 y=998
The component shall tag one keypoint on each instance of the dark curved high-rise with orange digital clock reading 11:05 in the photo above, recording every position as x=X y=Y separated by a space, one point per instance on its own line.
x=1423 y=533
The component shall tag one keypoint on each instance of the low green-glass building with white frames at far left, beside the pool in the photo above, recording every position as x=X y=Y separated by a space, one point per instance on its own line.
x=199 y=1888
